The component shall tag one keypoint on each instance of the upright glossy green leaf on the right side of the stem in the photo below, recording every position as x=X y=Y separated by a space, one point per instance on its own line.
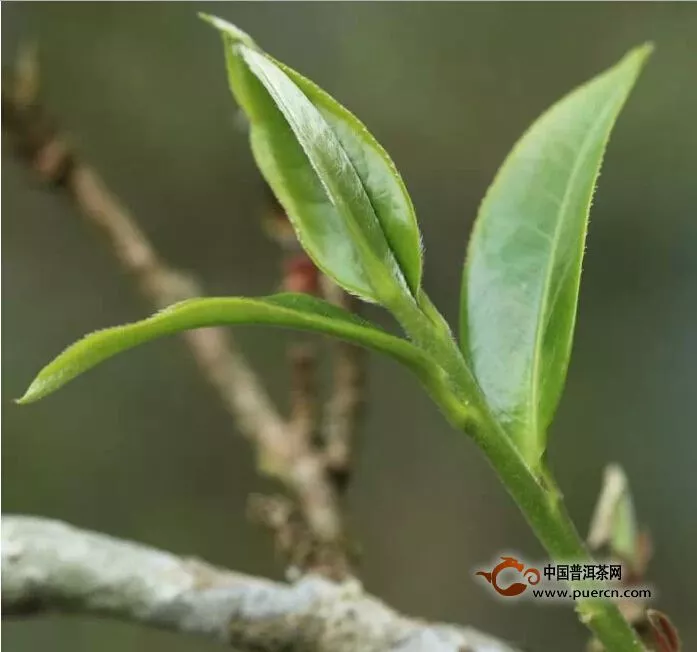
x=522 y=275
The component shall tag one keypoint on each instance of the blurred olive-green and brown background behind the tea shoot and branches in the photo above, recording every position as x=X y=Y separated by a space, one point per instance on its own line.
x=141 y=448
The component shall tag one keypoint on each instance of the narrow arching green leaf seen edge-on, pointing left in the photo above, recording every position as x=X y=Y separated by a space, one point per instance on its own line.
x=298 y=311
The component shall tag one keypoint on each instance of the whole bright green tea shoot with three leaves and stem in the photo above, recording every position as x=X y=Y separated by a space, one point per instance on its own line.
x=501 y=383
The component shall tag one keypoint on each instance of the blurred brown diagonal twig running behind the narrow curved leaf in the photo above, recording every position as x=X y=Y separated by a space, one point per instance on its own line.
x=290 y=459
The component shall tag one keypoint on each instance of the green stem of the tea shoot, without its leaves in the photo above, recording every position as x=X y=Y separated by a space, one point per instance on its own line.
x=537 y=496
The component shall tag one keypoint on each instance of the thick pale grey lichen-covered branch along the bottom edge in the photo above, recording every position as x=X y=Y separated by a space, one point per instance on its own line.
x=49 y=566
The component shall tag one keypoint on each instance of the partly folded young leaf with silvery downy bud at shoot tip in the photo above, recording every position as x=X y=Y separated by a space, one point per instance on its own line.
x=339 y=187
